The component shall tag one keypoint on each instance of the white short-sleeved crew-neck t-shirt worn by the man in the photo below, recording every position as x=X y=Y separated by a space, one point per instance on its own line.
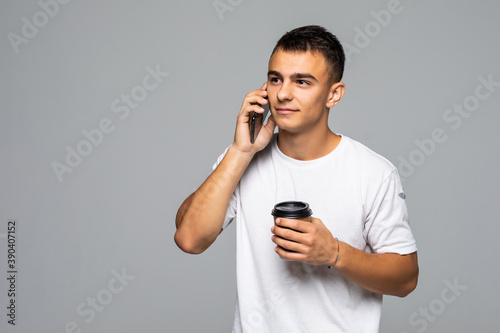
x=358 y=196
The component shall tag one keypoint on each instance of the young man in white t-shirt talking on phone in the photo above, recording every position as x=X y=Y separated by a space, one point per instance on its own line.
x=327 y=275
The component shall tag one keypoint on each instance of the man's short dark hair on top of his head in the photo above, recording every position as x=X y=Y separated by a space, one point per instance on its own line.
x=315 y=38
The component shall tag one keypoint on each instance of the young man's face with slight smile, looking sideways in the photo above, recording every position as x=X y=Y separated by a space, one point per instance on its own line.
x=298 y=90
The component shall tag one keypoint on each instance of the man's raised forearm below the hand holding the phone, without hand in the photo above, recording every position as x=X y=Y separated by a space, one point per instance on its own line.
x=200 y=218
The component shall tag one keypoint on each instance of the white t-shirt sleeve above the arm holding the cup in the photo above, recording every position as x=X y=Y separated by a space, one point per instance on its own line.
x=387 y=227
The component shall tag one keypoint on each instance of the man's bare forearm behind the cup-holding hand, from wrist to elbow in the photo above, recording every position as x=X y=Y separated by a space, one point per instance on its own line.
x=384 y=273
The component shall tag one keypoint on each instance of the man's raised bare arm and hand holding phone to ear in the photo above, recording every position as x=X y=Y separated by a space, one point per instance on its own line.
x=200 y=218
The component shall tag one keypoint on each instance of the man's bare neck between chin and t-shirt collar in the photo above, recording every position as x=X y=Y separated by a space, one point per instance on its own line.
x=307 y=146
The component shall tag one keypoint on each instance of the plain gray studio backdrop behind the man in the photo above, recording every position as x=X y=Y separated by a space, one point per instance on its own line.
x=112 y=112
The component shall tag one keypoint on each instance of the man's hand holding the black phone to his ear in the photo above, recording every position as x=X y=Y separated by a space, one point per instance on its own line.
x=263 y=133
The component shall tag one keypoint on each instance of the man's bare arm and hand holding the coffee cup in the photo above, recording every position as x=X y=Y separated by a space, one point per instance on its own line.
x=384 y=273
